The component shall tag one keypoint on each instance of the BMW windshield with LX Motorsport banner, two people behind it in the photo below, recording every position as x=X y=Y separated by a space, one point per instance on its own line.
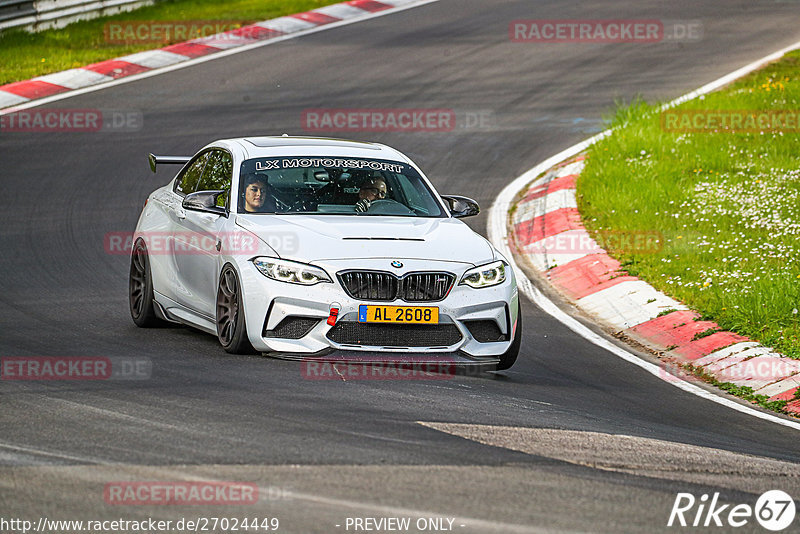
x=334 y=185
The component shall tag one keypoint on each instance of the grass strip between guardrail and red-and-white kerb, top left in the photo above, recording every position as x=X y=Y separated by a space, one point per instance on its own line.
x=24 y=55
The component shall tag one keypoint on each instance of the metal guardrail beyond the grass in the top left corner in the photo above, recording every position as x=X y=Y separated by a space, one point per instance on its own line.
x=43 y=14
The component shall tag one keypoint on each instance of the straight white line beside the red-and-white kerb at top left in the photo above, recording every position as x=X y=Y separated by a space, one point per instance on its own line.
x=216 y=55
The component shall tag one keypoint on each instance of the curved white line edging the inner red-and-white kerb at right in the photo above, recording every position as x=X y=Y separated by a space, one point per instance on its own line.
x=498 y=235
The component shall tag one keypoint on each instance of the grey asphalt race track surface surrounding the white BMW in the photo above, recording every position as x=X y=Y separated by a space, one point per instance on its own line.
x=326 y=450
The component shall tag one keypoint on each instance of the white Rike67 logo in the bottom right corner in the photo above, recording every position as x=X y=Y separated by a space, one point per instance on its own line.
x=774 y=510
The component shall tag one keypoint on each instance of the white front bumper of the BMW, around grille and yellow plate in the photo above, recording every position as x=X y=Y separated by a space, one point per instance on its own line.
x=274 y=309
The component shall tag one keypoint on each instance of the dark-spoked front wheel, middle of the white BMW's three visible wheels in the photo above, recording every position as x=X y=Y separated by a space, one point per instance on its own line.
x=231 y=329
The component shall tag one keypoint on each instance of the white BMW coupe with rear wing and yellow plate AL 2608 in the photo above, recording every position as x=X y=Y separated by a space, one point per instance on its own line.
x=301 y=247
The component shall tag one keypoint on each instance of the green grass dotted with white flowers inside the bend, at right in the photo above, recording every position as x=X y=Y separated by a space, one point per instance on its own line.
x=727 y=205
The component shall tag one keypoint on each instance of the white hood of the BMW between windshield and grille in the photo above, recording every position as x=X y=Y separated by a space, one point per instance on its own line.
x=309 y=238
